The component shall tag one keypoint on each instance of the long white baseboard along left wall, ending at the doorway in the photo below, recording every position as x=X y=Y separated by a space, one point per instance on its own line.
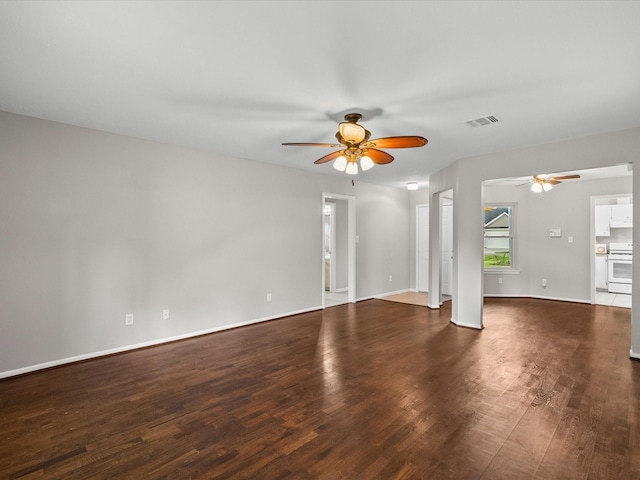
x=102 y=353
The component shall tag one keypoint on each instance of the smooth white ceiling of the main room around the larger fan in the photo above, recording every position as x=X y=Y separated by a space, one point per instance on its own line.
x=241 y=77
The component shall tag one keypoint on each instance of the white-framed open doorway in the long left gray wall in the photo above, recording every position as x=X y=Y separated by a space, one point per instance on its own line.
x=338 y=250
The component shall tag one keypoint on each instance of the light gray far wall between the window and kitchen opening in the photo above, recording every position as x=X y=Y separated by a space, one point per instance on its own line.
x=566 y=266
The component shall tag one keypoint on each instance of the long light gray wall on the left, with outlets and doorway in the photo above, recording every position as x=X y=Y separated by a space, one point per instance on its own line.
x=96 y=225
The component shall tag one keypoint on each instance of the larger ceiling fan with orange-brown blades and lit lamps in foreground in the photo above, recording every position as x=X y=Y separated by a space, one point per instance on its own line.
x=355 y=146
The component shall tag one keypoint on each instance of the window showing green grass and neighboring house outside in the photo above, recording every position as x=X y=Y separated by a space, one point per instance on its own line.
x=499 y=221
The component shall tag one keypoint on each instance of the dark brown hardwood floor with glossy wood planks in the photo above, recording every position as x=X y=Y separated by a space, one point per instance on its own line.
x=375 y=390
